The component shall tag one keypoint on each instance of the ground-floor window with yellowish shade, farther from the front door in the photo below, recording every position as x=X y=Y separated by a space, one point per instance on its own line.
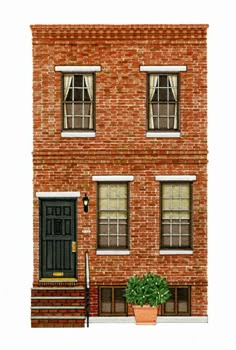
x=176 y=215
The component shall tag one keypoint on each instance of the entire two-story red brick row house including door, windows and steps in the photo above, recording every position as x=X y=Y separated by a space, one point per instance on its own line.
x=120 y=117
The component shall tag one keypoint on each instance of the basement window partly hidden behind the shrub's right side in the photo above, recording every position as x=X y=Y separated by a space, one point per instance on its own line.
x=179 y=302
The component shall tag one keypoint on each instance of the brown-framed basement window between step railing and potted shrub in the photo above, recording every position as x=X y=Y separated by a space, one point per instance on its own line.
x=112 y=301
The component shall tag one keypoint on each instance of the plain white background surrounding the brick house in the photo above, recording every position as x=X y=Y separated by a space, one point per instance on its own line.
x=16 y=173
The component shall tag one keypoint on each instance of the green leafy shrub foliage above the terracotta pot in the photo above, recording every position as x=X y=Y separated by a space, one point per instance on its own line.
x=149 y=289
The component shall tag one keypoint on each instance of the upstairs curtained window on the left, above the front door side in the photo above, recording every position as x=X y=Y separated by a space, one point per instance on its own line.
x=78 y=102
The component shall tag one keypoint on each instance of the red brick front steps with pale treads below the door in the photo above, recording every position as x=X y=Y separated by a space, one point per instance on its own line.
x=57 y=307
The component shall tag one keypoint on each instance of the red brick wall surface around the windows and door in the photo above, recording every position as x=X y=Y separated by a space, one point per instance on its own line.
x=120 y=146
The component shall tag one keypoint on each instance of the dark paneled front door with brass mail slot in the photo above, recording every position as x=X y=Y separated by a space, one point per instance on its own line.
x=57 y=232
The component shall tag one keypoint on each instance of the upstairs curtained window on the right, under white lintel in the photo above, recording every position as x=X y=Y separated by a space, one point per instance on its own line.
x=163 y=102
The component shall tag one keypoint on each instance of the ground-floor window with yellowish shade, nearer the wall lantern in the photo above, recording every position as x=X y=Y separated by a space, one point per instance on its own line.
x=113 y=215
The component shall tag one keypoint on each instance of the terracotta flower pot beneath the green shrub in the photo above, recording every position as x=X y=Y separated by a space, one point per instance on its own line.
x=145 y=314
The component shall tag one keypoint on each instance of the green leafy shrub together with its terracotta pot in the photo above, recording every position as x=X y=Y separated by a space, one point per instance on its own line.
x=145 y=294
